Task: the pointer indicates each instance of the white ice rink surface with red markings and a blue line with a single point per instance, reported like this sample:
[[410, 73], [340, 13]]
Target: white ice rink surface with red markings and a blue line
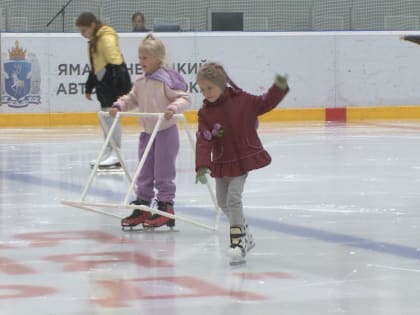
[[335, 217]]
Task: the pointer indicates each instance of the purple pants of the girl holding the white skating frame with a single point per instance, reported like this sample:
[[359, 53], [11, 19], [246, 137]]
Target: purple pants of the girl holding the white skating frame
[[159, 169]]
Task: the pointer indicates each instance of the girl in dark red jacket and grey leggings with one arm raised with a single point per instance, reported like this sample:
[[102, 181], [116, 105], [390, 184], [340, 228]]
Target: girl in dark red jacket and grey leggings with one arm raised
[[228, 145]]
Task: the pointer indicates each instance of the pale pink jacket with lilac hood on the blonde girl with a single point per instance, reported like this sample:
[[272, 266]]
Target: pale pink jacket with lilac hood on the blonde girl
[[156, 93]]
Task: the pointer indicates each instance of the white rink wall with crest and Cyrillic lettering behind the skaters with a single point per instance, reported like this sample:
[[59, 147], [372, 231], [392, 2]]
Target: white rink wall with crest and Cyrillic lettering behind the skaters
[[326, 70]]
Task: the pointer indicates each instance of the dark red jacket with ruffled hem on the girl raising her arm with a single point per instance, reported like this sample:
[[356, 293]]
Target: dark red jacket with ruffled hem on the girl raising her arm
[[239, 150]]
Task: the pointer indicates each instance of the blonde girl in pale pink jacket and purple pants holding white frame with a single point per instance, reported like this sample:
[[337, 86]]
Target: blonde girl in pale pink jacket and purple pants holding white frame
[[159, 90]]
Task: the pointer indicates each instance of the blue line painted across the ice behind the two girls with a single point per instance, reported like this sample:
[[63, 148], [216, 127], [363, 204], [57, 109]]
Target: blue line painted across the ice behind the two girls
[[280, 227]]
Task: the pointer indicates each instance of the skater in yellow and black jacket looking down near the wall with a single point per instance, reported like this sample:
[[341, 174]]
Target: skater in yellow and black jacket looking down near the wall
[[108, 74]]
